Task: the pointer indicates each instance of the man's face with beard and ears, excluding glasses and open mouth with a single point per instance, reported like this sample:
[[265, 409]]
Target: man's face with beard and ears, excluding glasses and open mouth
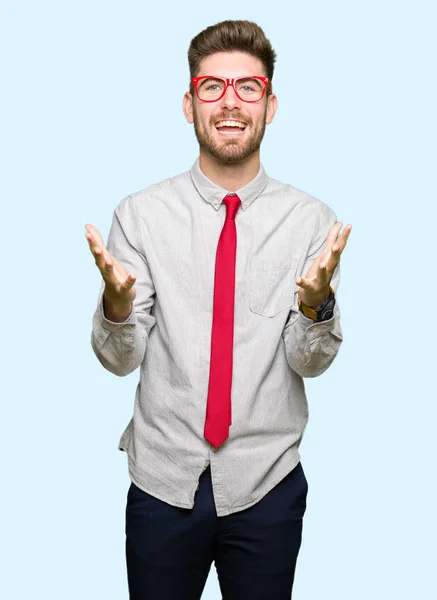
[[232, 146]]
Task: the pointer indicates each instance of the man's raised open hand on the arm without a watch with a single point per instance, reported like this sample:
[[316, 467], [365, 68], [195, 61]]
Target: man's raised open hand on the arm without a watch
[[119, 292]]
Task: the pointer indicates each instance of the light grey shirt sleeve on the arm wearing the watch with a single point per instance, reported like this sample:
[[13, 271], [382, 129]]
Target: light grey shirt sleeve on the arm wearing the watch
[[312, 346]]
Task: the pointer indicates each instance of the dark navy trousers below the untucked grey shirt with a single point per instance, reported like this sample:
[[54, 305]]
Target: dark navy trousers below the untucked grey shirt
[[169, 550]]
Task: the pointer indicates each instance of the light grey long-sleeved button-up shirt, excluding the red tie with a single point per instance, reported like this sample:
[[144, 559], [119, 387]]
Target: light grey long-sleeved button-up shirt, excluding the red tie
[[167, 236]]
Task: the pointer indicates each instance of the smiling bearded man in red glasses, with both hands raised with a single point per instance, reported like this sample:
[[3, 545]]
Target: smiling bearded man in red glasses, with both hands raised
[[216, 473]]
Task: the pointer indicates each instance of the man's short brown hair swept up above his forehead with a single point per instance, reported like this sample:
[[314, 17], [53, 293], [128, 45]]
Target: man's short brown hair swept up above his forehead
[[228, 36]]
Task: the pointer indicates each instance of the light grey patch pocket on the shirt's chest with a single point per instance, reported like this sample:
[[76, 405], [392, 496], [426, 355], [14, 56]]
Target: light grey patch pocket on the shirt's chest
[[272, 286]]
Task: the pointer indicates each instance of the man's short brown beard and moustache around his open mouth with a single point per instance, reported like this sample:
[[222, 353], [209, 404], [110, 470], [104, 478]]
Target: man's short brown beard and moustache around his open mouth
[[229, 151]]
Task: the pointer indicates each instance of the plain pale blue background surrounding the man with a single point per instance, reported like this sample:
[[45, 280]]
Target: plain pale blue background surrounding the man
[[82, 125]]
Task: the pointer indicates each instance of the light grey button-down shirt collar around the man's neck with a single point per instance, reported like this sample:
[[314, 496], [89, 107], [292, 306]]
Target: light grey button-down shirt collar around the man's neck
[[213, 193]]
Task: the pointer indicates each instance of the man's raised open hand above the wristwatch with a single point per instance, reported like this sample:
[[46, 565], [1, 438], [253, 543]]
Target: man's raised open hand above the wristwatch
[[314, 288]]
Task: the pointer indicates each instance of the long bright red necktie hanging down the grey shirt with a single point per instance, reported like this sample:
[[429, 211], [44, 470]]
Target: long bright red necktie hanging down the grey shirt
[[218, 410]]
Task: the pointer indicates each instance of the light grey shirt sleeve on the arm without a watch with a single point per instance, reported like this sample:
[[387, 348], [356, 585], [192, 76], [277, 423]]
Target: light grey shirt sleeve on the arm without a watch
[[120, 347]]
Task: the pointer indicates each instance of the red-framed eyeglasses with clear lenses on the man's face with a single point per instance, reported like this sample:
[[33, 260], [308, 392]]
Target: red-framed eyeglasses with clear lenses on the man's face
[[210, 88]]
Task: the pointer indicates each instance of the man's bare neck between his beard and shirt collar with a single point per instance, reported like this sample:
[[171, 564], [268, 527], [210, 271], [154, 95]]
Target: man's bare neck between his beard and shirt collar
[[231, 177]]
